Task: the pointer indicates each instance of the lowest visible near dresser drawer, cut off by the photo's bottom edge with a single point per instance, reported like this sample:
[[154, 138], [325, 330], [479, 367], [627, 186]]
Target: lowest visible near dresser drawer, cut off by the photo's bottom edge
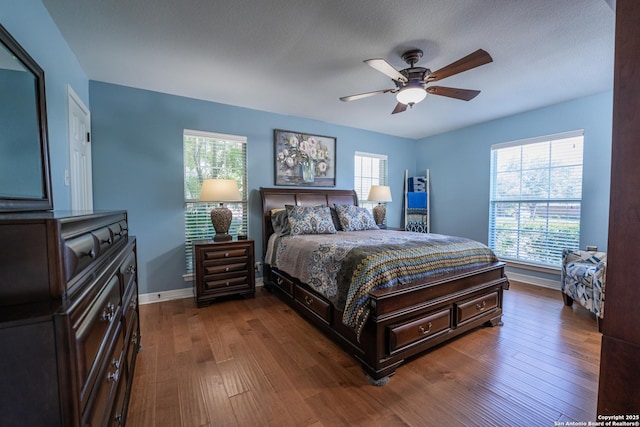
[[112, 372]]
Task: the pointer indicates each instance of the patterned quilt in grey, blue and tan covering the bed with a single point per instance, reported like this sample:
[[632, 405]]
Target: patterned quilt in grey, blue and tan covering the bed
[[346, 266]]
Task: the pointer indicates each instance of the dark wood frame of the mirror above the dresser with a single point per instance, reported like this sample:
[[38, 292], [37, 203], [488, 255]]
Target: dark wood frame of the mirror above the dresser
[[14, 204]]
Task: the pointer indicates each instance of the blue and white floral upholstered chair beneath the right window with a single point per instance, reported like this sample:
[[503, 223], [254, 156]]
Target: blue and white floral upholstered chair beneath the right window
[[583, 280]]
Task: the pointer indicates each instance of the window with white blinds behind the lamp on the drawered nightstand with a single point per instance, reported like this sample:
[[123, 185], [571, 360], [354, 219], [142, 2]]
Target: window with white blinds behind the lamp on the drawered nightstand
[[211, 155]]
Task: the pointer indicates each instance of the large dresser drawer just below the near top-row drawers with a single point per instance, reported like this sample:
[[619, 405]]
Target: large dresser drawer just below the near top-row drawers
[[92, 329]]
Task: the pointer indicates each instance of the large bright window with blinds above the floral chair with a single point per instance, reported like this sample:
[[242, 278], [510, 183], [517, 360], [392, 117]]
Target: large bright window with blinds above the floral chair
[[535, 198]]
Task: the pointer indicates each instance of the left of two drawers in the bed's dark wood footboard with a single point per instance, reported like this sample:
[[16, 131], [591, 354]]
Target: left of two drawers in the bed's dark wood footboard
[[417, 330]]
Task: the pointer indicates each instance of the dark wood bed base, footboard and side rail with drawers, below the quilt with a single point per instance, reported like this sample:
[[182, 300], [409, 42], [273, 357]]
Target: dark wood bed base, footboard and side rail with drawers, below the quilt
[[404, 321]]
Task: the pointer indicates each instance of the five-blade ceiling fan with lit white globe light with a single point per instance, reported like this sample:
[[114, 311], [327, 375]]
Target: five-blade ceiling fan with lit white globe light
[[411, 83]]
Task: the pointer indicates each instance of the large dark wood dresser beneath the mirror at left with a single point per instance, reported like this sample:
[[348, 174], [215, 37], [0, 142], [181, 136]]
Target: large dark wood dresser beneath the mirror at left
[[69, 324]]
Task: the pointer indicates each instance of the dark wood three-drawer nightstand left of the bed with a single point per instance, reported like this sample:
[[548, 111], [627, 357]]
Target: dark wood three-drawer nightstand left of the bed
[[223, 269]]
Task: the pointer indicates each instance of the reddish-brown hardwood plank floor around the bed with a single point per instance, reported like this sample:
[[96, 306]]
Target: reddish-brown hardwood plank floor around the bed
[[256, 362]]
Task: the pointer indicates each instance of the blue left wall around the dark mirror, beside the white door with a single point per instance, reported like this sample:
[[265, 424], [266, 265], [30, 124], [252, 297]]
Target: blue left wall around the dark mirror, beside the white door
[[30, 24]]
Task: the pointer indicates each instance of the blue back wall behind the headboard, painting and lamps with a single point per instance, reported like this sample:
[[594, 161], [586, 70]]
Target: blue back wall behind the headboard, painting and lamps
[[138, 166]]
